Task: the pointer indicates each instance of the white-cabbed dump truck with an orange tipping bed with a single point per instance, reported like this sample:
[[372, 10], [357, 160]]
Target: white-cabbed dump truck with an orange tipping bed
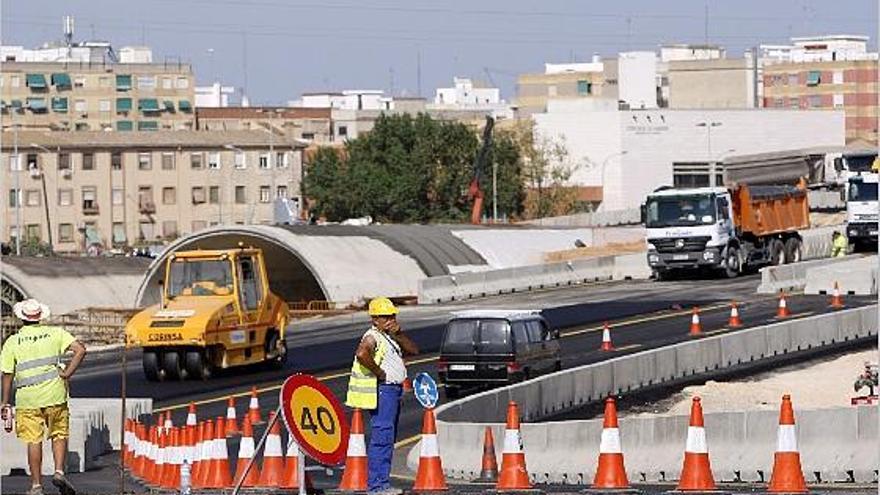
[[724, 229]]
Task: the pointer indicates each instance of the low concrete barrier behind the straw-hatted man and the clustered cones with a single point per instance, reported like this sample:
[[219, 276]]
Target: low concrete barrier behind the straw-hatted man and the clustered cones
[[94, 431]]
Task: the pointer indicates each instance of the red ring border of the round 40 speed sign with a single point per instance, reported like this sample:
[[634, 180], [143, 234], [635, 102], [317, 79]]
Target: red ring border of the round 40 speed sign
[[292, 383]]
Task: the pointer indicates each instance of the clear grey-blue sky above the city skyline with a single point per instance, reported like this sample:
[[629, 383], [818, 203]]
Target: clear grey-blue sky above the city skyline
[[278, 49]]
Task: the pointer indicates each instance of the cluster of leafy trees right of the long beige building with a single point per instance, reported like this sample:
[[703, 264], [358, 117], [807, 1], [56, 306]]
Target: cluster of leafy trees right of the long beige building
[[417, 169]]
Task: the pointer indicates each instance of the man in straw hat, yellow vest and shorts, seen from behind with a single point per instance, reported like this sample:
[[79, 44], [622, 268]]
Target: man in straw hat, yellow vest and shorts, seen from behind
[[30, 361]]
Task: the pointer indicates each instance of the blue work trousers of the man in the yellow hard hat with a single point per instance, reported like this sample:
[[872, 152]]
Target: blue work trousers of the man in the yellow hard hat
[[383, 431]]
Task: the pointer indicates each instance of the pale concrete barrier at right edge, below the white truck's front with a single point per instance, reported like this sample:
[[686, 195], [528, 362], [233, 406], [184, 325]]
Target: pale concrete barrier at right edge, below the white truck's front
[[855, 276]]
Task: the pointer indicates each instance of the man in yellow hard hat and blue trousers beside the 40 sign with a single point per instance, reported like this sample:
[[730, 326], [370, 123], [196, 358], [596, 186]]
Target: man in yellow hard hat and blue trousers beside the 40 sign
[[376, 385]]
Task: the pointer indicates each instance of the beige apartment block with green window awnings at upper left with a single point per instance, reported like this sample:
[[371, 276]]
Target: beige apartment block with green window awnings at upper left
[[83, 96]]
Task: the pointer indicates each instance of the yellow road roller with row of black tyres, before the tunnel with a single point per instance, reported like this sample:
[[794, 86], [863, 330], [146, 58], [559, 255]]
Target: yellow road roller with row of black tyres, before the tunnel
[[216, 312]]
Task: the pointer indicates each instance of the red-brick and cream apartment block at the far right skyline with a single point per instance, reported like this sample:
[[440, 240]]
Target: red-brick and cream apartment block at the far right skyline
[[850, 85]]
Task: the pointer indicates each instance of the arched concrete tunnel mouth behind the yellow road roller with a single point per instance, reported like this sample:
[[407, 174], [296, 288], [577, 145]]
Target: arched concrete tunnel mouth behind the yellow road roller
[[289, 277]]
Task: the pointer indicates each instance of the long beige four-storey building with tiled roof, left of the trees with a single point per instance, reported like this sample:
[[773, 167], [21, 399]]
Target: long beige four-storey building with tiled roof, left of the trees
[[112, 189]]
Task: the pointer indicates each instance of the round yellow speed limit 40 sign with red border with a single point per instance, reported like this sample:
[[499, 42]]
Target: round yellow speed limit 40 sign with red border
[[315, 418]]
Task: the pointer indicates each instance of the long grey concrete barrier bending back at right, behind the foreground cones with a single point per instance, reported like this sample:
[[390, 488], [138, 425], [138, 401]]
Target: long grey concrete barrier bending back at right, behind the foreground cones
[[836, 444]]
